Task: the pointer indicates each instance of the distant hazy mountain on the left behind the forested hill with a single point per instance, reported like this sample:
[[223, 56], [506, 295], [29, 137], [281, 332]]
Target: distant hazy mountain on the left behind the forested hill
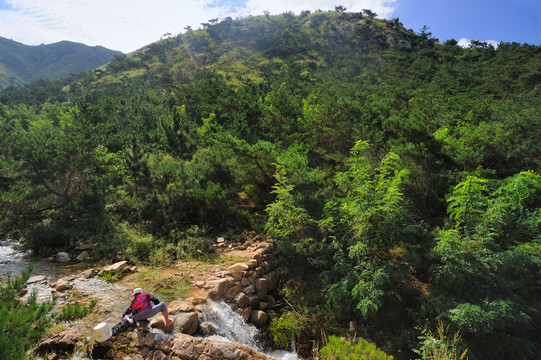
[[21, 64]]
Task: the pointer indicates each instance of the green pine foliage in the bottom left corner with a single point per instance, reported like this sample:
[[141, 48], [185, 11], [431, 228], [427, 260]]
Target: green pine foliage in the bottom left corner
[[22, 323]]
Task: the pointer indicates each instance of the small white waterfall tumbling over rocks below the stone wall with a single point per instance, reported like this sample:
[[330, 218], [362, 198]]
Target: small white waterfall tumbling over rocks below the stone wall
[[230, 326]]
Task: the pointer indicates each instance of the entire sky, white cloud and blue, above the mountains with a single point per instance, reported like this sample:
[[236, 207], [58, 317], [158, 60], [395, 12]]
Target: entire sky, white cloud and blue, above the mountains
[[127, 25]]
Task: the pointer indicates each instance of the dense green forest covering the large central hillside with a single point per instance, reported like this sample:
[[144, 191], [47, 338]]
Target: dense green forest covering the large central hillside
[[399, 175]]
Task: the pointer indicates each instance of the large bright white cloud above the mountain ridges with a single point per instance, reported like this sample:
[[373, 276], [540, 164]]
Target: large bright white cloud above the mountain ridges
[[127, 25]]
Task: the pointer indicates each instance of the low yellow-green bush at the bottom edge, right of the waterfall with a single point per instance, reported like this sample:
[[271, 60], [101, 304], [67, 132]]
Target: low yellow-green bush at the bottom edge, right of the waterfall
[[340, 349]]
